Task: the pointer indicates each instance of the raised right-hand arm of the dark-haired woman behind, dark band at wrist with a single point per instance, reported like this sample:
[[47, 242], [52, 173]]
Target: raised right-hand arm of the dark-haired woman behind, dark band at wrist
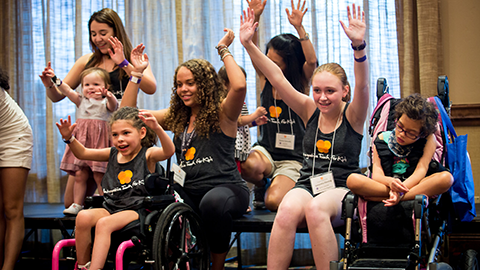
[[296, 19]]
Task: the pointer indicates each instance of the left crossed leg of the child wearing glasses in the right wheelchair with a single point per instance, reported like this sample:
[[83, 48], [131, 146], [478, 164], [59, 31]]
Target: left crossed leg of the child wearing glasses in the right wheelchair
[[367, 187]]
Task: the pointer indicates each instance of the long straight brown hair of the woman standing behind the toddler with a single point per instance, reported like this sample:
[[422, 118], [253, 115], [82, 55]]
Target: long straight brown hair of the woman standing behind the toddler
[[109, 17]]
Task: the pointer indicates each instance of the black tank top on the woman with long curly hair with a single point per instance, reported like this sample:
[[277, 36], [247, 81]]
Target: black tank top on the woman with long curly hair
[[208, 162]]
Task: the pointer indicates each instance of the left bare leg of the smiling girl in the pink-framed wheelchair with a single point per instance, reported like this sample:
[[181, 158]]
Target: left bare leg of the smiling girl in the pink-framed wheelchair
[[84, 223]]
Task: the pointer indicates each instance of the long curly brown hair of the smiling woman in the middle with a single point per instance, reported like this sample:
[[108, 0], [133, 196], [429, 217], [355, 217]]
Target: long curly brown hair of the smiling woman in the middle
[[209, 96]]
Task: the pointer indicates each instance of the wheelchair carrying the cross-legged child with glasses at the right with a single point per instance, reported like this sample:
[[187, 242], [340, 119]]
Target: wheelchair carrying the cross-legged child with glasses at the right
[[409, 235]]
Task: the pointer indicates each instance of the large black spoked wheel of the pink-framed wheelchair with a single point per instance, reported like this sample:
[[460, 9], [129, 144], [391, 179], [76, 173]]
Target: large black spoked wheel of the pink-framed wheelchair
[[179, 242]]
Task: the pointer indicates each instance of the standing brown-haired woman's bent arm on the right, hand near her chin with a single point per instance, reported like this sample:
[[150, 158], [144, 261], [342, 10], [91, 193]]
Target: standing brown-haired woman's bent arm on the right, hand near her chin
[[148, 83]]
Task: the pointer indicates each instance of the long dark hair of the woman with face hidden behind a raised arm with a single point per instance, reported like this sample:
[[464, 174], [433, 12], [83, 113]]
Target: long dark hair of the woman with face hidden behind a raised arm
[[290, 49]]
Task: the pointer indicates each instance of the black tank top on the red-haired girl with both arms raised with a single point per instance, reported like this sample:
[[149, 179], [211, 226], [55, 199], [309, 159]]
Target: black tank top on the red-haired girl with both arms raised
[[347, 146]]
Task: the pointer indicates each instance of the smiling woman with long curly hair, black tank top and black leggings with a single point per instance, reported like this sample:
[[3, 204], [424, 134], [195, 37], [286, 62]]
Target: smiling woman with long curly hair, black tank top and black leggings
[[203, 118]]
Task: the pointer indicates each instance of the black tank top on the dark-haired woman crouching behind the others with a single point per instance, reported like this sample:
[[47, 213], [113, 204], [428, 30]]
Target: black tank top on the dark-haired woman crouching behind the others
[[270, 129]]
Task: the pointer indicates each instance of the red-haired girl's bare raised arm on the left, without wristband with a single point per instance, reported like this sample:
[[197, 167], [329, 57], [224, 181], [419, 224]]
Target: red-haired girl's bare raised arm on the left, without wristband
[[300, 103]]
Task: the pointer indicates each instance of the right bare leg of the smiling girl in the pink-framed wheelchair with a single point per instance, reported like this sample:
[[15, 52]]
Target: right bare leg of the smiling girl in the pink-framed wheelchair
[[103, 232]]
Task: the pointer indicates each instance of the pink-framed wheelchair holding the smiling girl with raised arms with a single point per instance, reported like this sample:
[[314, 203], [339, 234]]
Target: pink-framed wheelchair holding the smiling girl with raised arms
[[168, 234]]
